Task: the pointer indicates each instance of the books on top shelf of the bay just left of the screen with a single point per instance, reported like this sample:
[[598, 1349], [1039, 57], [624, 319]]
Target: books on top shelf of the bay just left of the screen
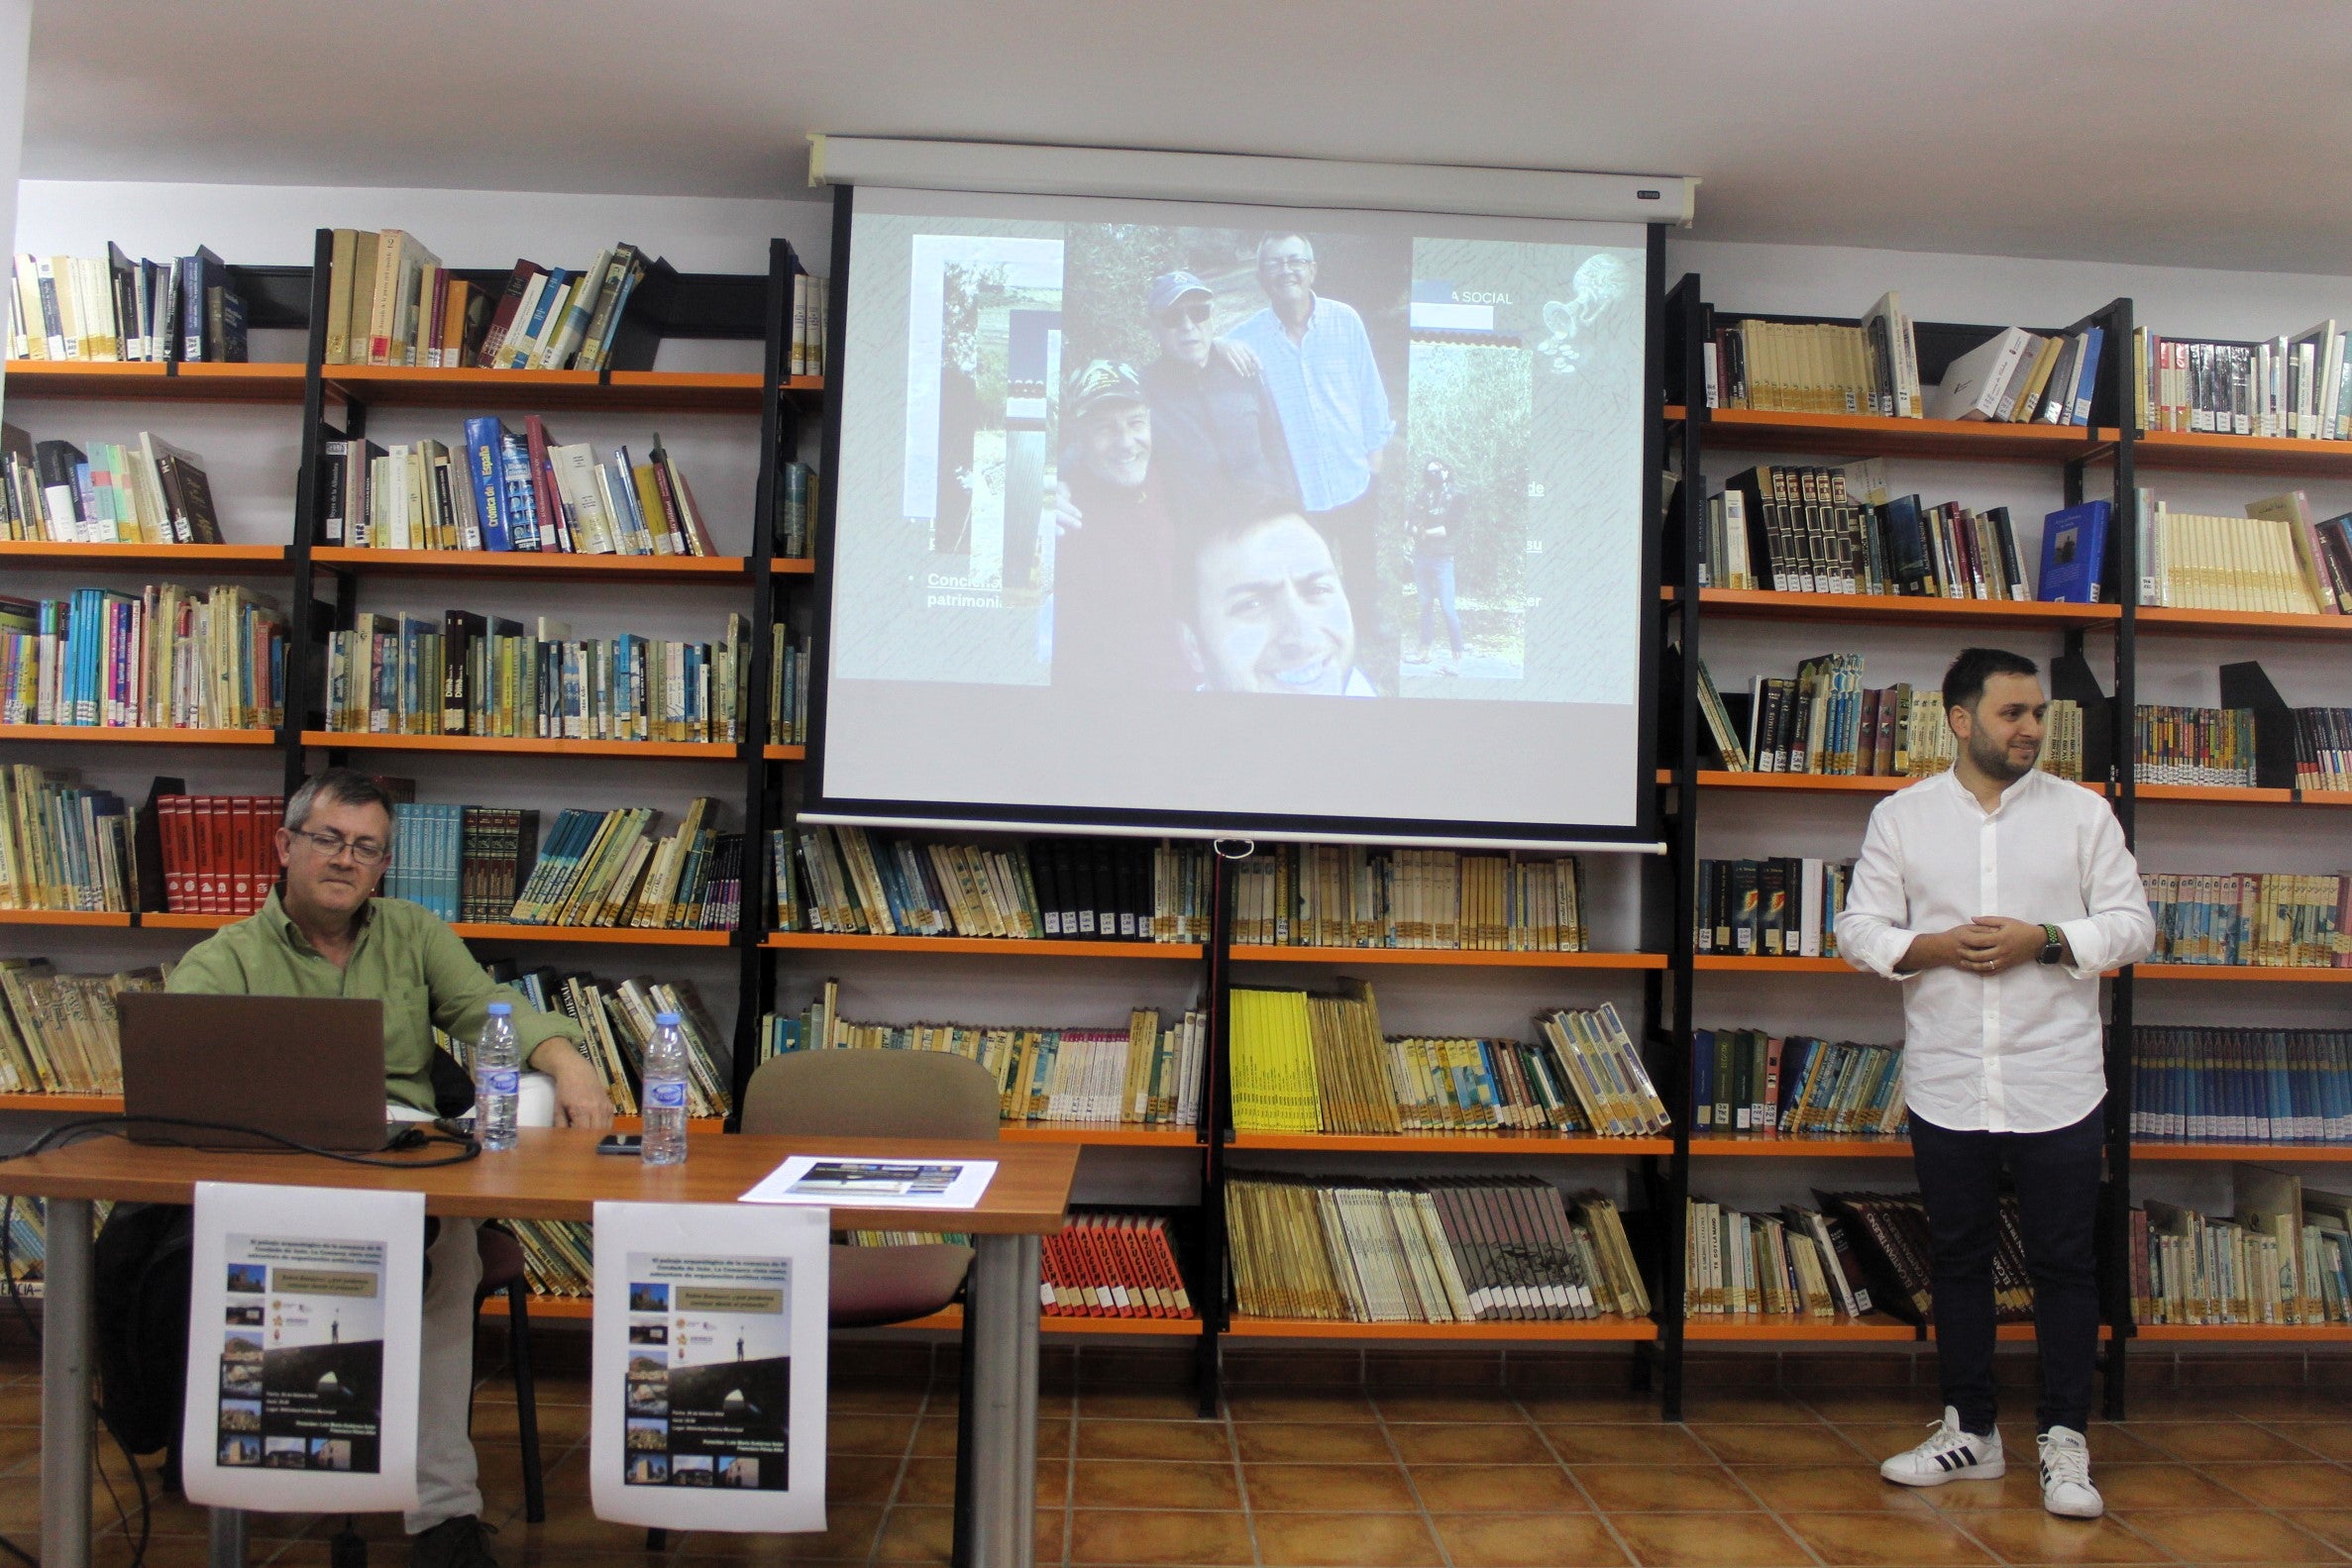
[[392, 302]]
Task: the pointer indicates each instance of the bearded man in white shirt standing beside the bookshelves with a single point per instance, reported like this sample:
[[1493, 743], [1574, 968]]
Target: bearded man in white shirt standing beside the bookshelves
[[1998, 894]]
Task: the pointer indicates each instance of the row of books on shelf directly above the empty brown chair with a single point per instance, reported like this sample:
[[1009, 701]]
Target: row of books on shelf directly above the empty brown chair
[[1142, 1076]]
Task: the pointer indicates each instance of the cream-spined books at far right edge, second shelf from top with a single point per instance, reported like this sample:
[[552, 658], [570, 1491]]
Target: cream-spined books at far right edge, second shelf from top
[[2273, 558]]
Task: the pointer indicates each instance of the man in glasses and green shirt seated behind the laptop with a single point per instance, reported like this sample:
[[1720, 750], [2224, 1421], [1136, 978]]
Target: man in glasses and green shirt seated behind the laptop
[[326, 934]]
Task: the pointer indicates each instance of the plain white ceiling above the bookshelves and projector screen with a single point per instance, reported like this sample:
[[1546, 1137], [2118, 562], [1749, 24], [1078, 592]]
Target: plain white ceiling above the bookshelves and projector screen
[[2191, 133]]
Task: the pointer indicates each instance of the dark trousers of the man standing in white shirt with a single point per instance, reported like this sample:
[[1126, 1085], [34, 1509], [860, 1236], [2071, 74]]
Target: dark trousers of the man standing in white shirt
[[2057, 1179]]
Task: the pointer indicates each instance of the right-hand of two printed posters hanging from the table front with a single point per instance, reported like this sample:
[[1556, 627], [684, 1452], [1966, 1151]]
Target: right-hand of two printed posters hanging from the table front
[[709, 1367]]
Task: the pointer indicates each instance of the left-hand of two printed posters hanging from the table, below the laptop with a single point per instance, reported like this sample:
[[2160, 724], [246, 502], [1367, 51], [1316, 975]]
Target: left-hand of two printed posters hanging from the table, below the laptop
[[302, 1348]]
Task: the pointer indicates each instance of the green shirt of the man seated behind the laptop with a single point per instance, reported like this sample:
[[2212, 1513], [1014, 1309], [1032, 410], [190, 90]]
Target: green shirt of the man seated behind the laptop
[[403, 958]]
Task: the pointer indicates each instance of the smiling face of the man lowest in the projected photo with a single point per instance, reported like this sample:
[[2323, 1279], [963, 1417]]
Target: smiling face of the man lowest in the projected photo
[[1264, 608]]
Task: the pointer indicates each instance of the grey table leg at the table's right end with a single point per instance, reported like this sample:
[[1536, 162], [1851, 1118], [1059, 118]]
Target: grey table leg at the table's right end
[[1003, 1299]]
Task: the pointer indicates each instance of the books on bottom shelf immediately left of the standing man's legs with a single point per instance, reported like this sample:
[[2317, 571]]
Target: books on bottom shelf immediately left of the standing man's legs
[[1791, 1264]]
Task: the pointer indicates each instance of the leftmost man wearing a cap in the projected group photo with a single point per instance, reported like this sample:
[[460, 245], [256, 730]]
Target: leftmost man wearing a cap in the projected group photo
[[1116, 547]]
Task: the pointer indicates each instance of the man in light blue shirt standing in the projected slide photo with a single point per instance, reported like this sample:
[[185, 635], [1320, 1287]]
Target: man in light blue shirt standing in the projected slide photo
[[1318, 366]]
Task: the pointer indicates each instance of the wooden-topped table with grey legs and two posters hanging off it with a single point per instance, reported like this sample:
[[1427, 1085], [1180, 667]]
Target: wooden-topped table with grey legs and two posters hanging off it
[[559, 1177]]
